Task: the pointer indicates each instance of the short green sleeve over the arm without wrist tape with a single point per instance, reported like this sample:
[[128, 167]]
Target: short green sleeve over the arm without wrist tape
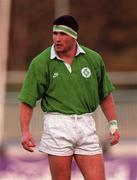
[[33, 85]]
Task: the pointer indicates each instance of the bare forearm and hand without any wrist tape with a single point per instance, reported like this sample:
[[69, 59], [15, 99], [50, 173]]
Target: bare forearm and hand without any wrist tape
[[28, 142]]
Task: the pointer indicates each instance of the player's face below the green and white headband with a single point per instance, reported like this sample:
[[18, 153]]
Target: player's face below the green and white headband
[[63, 42]]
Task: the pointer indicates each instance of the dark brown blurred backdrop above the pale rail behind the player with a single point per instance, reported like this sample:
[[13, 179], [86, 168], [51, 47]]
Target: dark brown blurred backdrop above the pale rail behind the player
[[109, 27]]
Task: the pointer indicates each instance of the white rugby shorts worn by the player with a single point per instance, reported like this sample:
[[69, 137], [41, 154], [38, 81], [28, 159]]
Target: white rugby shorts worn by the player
[[65, 135]]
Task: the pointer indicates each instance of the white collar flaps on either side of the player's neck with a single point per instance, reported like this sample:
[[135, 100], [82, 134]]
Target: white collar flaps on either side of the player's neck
[[53, 53]]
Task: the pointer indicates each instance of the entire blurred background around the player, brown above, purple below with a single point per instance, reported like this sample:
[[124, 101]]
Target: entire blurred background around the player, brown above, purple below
[[108, 27]]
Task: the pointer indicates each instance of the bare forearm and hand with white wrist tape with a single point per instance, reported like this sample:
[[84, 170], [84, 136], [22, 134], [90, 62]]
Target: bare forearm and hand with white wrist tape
[[108, 107]]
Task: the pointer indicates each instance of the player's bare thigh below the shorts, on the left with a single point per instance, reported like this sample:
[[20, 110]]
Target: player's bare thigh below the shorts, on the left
[[60, 167]]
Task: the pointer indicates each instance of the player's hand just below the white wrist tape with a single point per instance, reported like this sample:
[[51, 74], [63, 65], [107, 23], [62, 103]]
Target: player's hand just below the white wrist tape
[[114, 137]]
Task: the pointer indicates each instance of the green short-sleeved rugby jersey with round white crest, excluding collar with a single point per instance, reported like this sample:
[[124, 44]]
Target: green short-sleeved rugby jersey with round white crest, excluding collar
[[78, 92]]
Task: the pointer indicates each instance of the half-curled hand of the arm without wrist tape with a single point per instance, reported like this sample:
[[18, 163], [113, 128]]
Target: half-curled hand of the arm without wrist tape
[[28, 142]]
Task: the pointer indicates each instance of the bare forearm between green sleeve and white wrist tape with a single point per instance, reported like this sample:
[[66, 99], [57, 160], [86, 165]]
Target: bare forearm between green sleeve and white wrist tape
[[108, 108]]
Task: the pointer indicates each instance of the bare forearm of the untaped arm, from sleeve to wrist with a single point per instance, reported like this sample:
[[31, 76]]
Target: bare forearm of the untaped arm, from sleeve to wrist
[[25, 117]]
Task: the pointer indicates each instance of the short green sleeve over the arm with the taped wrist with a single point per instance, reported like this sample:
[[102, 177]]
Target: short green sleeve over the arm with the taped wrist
[[105, 86]]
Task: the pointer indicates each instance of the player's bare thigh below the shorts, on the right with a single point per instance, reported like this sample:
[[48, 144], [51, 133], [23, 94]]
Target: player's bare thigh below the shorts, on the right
[[91, 166]]
